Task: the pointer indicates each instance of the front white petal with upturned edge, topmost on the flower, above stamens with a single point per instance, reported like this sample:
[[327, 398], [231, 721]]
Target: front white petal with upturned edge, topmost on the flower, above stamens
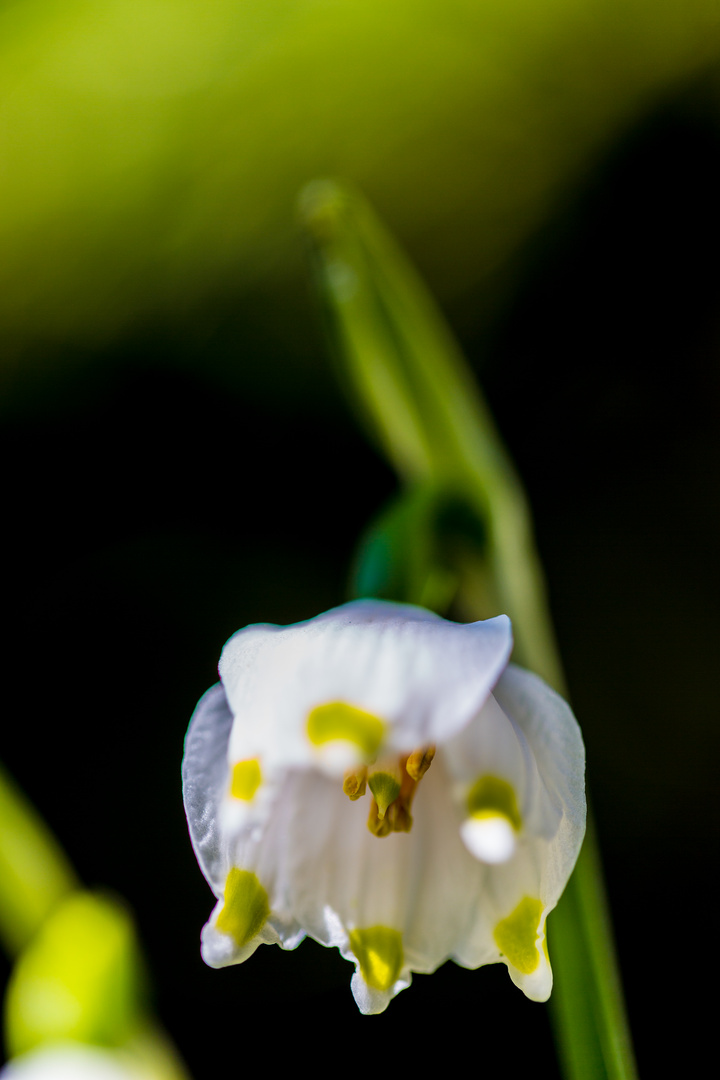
[[420, 676]]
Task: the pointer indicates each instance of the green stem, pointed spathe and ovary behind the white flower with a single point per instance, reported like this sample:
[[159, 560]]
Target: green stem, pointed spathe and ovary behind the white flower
[[412, 388]]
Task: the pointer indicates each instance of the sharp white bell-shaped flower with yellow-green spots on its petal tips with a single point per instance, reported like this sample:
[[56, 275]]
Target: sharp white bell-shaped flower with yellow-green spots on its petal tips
[[382, 780]]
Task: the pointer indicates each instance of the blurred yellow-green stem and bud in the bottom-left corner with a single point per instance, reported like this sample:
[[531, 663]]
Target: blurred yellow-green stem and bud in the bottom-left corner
[[79, 976]]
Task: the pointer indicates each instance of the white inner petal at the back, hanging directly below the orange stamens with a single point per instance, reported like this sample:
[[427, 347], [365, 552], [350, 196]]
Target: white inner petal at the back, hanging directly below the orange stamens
[[343, 879]]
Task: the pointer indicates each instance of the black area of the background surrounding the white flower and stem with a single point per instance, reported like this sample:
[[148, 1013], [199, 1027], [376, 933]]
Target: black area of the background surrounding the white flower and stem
[[154, 506]]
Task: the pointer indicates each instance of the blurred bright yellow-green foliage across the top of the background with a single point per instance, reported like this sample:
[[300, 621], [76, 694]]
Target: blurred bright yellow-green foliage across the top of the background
[[152, 153]]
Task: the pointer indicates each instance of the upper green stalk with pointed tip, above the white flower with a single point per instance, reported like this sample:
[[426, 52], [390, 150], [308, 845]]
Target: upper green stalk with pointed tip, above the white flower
[[412, 389]]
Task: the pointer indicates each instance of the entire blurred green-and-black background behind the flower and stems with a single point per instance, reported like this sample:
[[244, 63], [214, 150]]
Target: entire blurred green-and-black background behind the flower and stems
[[179, 461]]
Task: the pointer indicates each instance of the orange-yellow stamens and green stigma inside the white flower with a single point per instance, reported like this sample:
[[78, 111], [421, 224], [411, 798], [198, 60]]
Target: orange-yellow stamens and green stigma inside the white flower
[[393, 784]]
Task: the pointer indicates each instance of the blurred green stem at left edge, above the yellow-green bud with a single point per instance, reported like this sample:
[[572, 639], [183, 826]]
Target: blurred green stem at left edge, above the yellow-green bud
[[35, 874]]
